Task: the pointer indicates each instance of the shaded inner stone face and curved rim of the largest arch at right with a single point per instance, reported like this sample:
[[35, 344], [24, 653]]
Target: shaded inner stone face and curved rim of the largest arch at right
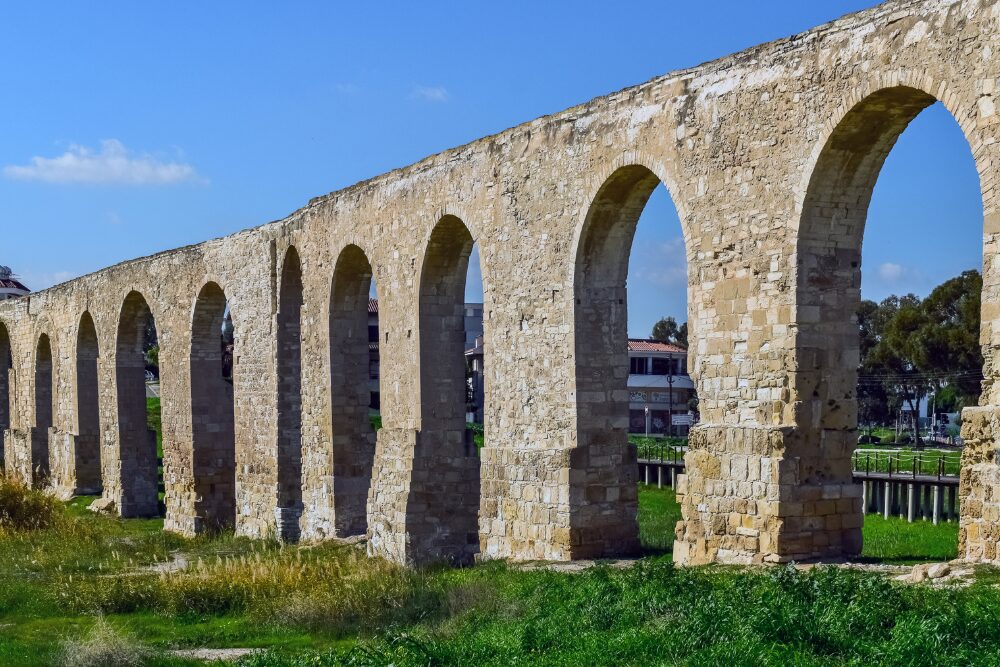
[[823, 382]]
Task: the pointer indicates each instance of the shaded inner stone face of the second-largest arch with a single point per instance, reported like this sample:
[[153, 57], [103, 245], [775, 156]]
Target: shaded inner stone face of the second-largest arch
[[604, 474]]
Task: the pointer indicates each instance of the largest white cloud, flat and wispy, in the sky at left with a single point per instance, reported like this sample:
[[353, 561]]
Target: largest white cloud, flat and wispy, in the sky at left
[[113, 164]]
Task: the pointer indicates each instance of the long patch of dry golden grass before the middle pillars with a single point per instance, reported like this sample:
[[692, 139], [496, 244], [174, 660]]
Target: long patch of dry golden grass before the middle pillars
[[329, 587]]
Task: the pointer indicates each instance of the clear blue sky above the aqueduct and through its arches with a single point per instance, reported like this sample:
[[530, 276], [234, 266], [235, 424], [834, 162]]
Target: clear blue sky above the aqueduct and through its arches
[[131, 128]]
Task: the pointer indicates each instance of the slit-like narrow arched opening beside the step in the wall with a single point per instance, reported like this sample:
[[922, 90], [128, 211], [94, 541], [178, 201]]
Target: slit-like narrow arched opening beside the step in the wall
[[289, 322]]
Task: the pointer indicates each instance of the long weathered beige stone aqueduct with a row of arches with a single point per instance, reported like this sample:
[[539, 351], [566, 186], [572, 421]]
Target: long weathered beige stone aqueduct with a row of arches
[[770, 156]]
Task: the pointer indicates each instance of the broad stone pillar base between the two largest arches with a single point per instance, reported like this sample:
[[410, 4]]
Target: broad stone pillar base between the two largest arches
[[754, 494]]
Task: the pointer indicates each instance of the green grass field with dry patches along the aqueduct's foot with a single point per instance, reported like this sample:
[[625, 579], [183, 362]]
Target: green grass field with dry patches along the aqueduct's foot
[[331, 605]]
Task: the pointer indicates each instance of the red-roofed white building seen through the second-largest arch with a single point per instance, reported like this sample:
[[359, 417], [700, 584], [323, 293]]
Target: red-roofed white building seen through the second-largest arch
[[660, 390]]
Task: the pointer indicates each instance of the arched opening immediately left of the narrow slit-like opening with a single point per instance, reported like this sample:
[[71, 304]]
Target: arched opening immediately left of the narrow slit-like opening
[[213, 434]]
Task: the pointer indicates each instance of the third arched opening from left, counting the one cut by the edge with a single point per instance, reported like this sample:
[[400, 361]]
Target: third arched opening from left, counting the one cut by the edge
[[88, 427]]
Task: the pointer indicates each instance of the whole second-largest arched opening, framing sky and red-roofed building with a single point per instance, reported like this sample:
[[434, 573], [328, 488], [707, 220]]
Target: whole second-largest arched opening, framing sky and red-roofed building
[[617, 378]]
